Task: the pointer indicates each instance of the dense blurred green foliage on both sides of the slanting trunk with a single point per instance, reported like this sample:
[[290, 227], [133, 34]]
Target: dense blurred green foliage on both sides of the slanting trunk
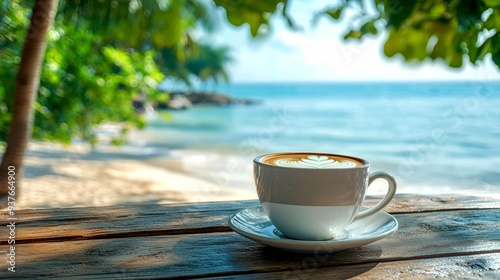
[[99, 58]]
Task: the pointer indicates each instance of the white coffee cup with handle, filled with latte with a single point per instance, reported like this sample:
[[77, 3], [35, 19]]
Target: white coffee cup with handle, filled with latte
[[315, 196]]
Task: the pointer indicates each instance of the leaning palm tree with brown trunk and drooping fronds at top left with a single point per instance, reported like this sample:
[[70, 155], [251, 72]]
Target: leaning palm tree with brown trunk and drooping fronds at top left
[[166, 24]]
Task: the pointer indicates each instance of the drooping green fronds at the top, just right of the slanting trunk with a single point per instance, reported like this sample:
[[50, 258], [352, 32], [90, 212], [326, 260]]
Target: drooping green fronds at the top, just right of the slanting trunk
[[138, 24]]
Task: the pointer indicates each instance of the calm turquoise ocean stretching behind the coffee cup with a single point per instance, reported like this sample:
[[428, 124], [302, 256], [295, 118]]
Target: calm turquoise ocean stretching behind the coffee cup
[[432, 136]]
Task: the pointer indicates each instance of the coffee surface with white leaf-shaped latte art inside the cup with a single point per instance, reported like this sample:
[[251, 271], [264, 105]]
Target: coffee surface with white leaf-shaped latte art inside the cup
[[311, 161]]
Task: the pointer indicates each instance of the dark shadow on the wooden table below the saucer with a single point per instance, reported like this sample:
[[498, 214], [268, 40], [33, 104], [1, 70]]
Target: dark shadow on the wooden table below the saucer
[[222, 256]]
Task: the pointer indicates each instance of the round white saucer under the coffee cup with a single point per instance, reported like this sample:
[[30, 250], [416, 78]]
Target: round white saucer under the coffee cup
[[253, 223]]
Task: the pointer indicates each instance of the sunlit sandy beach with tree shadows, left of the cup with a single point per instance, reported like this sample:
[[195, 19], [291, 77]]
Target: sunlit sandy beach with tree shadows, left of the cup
[[77, 175]]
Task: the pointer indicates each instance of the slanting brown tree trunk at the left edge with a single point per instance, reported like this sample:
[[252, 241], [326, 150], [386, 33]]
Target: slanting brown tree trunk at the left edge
[[27, 82]]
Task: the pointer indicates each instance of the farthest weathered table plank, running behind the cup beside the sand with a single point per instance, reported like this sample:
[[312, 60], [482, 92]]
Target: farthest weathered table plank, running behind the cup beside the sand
[[106, 222]]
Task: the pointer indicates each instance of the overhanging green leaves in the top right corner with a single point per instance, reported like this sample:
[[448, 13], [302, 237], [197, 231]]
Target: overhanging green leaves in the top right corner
[[450, 30]]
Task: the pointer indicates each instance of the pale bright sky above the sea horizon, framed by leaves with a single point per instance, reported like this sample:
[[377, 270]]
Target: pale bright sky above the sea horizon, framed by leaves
[[319, 53]]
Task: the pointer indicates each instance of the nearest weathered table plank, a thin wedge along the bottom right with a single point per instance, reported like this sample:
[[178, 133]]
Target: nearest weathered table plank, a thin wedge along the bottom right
[[484, 266]]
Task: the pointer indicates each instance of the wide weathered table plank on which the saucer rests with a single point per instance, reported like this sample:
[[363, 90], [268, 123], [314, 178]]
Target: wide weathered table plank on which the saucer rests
[[421, 235]]
